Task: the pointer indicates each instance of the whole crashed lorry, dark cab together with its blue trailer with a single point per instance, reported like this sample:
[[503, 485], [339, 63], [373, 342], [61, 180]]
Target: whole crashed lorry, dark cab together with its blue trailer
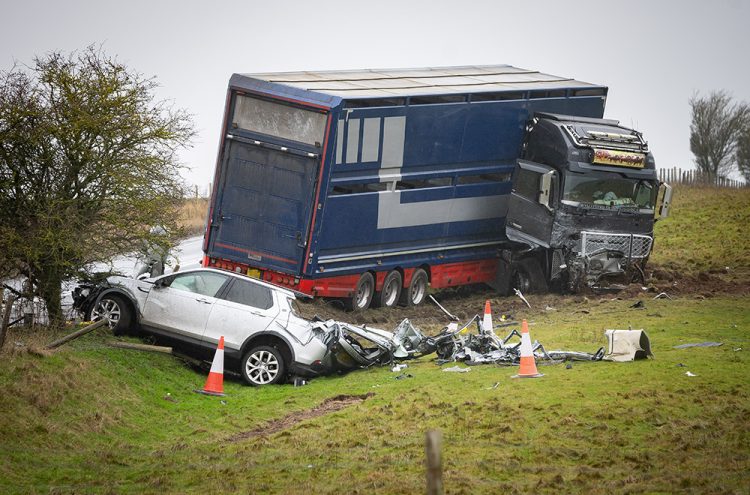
[[371, 186]]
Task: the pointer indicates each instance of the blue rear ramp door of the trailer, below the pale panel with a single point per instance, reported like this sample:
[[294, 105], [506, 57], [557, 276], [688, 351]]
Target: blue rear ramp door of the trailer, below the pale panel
[[263, 210]]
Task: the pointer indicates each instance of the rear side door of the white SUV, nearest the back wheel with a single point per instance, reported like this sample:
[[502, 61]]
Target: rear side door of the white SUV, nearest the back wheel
[[245, 308]]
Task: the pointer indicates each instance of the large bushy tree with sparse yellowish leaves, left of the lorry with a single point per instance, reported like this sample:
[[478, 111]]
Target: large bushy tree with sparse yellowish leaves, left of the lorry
[[87, 164]]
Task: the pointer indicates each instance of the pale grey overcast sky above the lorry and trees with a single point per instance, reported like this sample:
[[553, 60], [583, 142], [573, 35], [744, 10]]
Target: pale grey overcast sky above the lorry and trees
[[652, 55]]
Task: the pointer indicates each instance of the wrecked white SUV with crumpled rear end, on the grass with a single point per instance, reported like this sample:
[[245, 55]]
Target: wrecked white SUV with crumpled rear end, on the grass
[[265, 339]]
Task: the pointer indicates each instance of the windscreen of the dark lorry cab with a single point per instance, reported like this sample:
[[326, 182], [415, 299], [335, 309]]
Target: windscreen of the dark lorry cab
[[609, 191]]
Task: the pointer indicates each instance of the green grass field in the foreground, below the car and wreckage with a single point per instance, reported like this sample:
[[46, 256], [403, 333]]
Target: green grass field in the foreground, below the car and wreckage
[[93, 419]]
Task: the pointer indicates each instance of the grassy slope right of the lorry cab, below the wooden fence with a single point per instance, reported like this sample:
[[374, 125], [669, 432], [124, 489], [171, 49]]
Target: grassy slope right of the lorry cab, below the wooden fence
[[708, 230]]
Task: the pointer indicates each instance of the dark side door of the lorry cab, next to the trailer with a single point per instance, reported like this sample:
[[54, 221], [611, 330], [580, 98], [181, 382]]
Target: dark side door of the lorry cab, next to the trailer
[[530, 212]]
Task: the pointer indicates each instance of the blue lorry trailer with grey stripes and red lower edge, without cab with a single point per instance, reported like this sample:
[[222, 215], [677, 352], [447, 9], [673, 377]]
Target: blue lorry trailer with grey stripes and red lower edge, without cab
[[370, 185]]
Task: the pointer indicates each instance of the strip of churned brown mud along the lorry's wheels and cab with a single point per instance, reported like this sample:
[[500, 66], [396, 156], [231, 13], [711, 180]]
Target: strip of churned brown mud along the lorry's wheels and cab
[[465, 302]]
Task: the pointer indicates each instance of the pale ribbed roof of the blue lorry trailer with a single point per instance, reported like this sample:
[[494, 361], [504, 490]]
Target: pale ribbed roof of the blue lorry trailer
[[371, 83]]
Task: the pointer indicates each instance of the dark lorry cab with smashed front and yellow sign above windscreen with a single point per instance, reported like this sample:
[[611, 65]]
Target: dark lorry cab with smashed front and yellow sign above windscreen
[[583, 205]]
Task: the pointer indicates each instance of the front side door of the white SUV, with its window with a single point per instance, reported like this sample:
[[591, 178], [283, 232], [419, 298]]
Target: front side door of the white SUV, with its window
[[180, 304]]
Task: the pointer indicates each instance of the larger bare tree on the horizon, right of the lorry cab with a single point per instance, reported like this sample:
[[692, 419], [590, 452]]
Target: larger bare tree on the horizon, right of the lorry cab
[[714, 132]]
